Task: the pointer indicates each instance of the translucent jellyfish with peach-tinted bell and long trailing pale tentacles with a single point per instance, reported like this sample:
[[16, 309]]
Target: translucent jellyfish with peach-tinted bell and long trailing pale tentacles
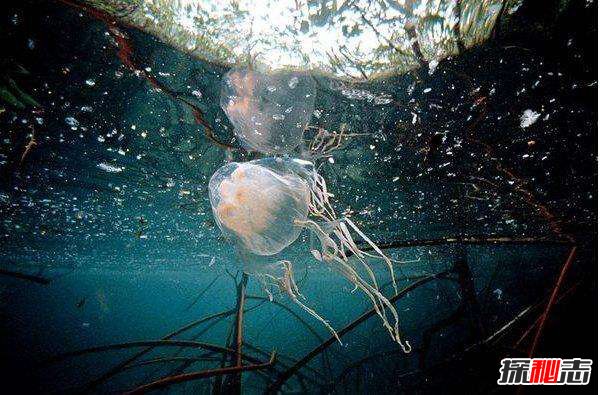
[[263, 205]]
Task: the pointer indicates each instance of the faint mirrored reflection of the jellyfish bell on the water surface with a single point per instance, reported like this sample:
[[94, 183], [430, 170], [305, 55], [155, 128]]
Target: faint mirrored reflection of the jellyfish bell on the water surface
[[269, 112]]
